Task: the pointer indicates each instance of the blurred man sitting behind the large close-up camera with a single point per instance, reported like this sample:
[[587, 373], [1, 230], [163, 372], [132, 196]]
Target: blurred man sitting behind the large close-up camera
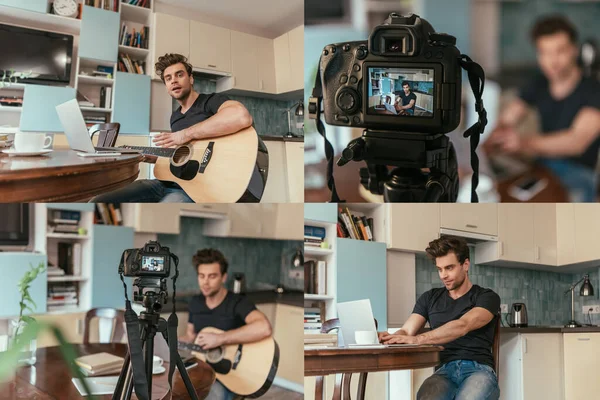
[[569, 108]]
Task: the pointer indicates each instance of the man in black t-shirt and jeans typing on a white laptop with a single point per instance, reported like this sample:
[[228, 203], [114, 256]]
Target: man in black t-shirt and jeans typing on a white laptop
[[462, 317]]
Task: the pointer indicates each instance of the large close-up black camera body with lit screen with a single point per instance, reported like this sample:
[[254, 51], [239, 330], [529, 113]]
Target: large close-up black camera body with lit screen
[[372, 84]]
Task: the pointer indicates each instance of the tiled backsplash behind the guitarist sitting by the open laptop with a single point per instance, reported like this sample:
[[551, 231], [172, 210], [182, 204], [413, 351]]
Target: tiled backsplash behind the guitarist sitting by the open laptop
[[269, 115]]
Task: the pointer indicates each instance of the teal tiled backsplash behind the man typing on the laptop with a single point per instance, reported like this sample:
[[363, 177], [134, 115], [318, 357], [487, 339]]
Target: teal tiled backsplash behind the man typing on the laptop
[[542, 292]]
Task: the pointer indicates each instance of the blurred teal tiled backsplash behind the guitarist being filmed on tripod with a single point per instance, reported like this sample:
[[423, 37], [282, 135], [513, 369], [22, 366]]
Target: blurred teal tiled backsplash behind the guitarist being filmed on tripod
[[265, 263]]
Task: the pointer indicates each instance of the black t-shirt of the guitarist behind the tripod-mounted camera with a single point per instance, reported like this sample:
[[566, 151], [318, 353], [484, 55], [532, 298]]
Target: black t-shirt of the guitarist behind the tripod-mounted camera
[[230, 314]]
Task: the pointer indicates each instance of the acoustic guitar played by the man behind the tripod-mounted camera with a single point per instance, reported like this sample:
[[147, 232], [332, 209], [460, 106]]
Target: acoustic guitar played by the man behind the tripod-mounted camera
[[247, 369]]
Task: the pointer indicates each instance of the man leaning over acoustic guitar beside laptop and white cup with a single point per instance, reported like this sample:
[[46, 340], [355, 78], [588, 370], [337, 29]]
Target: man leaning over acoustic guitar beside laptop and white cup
[[204, 120]]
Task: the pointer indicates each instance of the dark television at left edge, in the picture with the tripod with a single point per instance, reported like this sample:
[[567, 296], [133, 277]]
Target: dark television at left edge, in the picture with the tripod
[[16, 226]]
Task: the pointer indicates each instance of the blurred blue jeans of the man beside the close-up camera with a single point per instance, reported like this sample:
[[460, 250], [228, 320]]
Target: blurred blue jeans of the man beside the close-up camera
[[579, 180]]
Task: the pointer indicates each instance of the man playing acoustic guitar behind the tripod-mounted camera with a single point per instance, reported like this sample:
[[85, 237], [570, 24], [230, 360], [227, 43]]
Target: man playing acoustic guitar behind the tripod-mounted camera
[[242, 332]]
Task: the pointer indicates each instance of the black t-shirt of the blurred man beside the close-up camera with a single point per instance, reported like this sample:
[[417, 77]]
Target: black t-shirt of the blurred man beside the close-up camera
[[558, 115]]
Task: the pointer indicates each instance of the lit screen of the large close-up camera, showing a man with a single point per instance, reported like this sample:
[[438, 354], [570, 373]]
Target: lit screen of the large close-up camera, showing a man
[[401, 92]]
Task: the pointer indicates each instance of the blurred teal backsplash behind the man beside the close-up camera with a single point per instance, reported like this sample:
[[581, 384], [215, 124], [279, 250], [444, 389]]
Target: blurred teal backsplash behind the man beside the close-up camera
[[517, 19]]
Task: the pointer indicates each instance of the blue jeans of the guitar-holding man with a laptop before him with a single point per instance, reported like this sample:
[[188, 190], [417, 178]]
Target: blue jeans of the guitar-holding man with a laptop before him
[[145, 191]]
